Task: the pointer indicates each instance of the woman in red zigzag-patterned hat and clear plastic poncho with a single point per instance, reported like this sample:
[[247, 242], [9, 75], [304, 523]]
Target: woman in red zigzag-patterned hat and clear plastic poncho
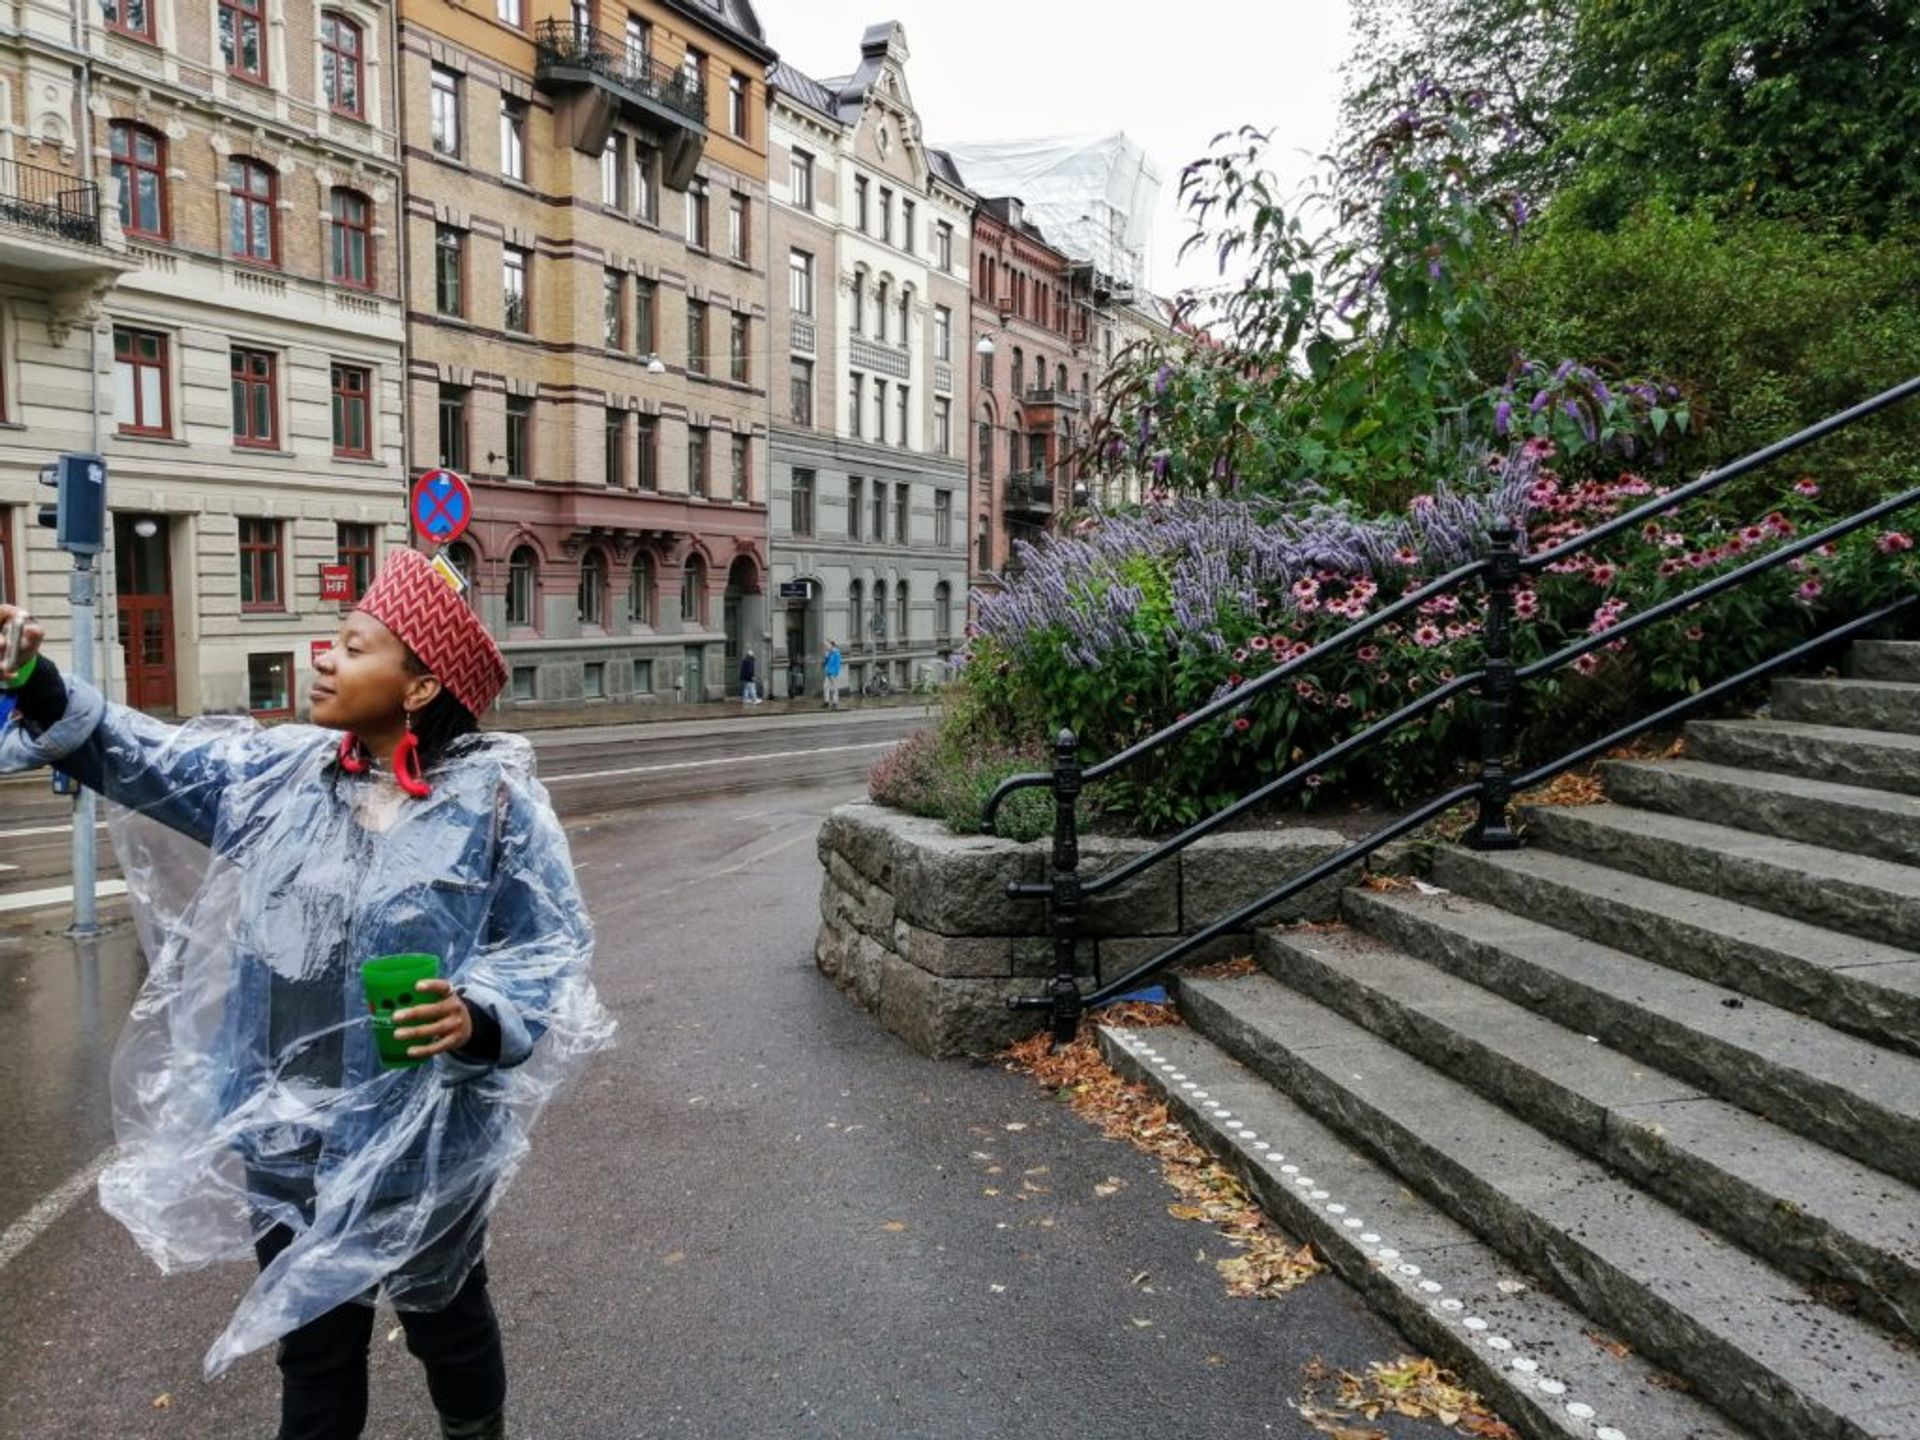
[[251, 1103]]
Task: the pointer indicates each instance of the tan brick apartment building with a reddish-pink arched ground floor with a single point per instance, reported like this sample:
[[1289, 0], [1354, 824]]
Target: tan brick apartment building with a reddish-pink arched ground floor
[[588, 270]]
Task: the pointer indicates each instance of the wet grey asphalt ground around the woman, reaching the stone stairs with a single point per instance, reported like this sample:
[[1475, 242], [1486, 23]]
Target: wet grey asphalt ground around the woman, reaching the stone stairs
[[759, 1216]]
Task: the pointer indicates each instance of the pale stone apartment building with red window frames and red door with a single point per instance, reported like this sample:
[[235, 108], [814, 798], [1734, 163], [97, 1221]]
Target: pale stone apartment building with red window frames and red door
[[220, 318]]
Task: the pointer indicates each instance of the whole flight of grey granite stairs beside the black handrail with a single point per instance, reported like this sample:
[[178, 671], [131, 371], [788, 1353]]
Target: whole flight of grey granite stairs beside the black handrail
[[1623, 1126]]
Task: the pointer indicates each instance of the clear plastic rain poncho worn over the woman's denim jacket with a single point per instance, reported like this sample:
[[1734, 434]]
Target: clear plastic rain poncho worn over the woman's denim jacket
[[247, 1086]]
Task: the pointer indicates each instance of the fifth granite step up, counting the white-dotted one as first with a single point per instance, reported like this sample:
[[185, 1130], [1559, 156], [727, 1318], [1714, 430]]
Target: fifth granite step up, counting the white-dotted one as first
[[1858, 986]]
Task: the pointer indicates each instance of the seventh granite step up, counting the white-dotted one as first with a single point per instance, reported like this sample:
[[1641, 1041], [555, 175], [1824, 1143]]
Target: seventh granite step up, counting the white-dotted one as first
[[1819, 811]]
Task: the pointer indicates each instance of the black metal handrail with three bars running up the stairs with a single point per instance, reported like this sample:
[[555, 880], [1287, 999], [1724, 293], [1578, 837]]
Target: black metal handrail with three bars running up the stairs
[[1495, 788]]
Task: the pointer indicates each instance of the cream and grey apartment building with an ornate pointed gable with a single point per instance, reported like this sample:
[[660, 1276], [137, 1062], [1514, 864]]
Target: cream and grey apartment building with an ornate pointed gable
[[869, 469]]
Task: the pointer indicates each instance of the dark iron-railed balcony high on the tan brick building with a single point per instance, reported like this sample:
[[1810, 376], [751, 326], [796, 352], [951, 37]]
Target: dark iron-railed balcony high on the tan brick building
[[577, 62]]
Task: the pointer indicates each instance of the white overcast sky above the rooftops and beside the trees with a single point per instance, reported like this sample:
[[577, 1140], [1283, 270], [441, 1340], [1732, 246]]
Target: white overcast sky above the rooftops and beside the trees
[[1011, 70]]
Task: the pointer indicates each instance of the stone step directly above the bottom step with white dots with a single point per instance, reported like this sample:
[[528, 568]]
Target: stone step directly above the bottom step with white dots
[[1744, 1335]]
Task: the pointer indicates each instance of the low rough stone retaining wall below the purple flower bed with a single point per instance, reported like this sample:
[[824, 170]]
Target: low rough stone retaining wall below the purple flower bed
[[917, 924]]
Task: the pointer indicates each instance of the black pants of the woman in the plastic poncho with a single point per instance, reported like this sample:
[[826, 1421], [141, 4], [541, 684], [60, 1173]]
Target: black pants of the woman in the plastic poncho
[[324, 1364]]
